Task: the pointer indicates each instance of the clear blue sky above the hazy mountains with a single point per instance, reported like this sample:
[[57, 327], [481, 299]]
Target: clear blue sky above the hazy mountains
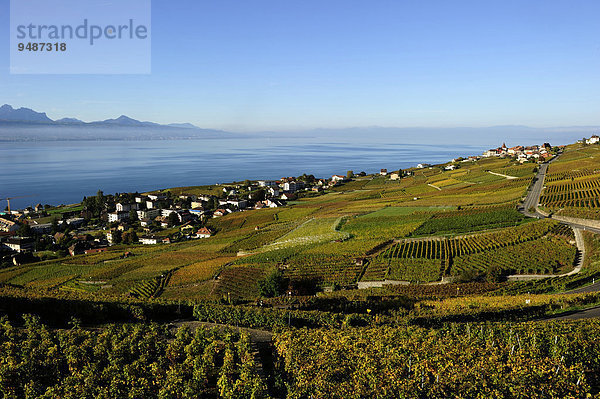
[[292, 65]]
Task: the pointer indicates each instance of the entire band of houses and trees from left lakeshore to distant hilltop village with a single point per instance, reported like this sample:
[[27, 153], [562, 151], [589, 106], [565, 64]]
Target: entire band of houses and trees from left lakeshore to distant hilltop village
[[98, 222]]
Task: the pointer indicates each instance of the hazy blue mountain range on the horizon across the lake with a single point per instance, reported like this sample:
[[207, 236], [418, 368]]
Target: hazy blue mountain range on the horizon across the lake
[[24, 124]]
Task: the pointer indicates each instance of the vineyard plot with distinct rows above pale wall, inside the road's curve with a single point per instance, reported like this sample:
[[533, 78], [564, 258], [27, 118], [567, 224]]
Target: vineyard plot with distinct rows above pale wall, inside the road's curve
[[540, 247]]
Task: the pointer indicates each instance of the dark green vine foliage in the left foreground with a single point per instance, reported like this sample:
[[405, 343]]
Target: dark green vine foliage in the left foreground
[[120, 361]]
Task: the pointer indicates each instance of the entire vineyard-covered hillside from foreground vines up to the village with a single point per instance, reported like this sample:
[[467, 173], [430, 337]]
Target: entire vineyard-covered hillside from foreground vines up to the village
[[437, 285]]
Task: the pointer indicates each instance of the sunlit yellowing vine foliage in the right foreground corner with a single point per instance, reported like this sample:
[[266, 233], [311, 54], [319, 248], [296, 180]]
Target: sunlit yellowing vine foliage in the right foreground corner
[[520, 360]]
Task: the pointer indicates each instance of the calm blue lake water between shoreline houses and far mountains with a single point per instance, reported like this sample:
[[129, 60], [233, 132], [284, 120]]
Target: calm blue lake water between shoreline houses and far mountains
[[62, 172]]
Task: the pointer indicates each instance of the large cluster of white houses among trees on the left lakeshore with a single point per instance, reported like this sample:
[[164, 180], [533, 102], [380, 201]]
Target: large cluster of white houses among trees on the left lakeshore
[[124, 215]]
